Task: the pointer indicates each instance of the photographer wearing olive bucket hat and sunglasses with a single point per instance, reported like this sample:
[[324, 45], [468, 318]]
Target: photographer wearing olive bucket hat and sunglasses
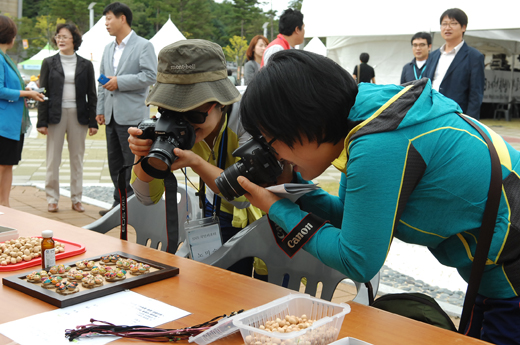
[[192, 80]]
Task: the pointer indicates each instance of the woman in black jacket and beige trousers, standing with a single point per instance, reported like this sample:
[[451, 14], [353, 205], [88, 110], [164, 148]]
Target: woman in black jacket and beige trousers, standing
[[71, 87]]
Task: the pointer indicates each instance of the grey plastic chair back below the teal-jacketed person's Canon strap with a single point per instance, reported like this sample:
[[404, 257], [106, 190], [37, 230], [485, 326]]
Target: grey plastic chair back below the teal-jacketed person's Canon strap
[[257, 240]]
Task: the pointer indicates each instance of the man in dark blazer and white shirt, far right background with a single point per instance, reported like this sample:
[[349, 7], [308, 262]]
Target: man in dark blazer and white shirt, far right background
[[456, 69]]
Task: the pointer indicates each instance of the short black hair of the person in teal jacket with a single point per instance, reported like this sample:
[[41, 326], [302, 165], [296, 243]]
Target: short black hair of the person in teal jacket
[[299, 95]]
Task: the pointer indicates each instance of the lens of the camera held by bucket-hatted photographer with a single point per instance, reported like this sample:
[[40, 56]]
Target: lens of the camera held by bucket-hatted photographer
[[157, 163]]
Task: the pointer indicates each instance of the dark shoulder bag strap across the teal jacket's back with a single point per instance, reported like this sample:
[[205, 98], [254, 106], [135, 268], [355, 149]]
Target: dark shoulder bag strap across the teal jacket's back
[[486, 229]]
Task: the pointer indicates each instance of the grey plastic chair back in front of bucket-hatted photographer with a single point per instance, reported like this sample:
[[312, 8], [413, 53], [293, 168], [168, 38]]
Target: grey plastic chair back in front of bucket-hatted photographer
[[149, 222]]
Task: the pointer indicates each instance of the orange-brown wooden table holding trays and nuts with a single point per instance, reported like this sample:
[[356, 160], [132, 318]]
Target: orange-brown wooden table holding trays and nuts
[[204, 291]]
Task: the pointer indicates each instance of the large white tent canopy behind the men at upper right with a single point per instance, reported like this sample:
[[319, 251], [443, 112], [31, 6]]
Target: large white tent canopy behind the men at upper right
[[386, 32]]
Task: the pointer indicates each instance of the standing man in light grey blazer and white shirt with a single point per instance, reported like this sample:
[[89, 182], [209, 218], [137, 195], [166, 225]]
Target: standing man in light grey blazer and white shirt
[[130, 64]]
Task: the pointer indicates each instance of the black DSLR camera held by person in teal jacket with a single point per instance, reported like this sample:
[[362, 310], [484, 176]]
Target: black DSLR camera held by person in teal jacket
[[257, 163]]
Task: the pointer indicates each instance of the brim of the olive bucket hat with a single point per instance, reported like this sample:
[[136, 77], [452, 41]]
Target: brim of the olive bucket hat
[[184, 97]]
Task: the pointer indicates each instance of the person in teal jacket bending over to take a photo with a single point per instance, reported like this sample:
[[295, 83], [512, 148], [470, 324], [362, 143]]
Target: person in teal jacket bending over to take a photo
[[412, 169]]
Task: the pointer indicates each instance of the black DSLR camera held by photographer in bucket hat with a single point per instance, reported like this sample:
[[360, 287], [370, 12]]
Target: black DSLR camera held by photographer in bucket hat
[[168, 132]]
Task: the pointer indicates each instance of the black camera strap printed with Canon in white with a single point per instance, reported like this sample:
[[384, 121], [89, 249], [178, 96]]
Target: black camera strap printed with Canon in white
[[292, 242]]
